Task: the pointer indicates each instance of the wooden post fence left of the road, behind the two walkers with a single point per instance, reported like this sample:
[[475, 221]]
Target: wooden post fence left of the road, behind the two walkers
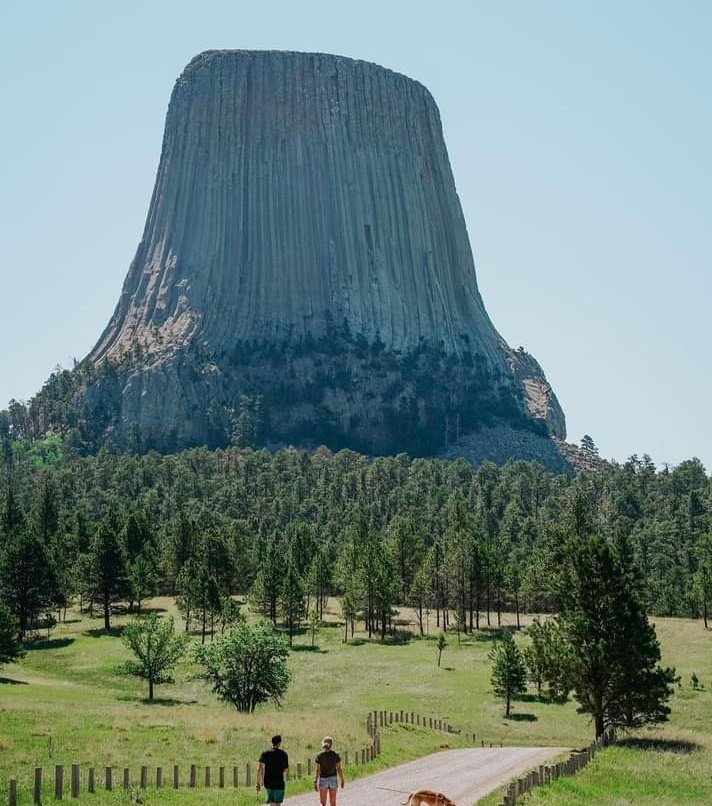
[[91, 778]]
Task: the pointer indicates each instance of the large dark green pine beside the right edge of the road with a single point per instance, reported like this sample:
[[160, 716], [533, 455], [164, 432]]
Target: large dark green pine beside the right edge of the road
[[616, 674]]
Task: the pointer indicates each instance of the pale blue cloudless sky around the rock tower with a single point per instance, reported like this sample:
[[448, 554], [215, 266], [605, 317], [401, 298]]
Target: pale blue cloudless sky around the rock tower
[[579, 134]]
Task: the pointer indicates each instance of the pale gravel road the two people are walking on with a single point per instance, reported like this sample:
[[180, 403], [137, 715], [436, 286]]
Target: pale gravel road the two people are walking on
[[462, 775]]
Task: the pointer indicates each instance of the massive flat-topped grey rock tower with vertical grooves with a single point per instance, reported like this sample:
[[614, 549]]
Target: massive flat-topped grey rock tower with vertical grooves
[[305, 275]]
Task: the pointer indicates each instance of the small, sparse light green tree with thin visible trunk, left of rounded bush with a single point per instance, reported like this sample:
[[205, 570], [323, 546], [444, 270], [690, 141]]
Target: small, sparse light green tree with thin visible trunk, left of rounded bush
[[155, 643]]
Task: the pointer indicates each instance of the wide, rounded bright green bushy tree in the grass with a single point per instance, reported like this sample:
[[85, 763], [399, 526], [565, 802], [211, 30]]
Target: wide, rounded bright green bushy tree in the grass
[[246, 667]]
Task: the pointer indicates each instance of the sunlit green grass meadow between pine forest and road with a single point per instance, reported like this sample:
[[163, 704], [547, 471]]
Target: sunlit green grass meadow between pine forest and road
[[64, 703]]
